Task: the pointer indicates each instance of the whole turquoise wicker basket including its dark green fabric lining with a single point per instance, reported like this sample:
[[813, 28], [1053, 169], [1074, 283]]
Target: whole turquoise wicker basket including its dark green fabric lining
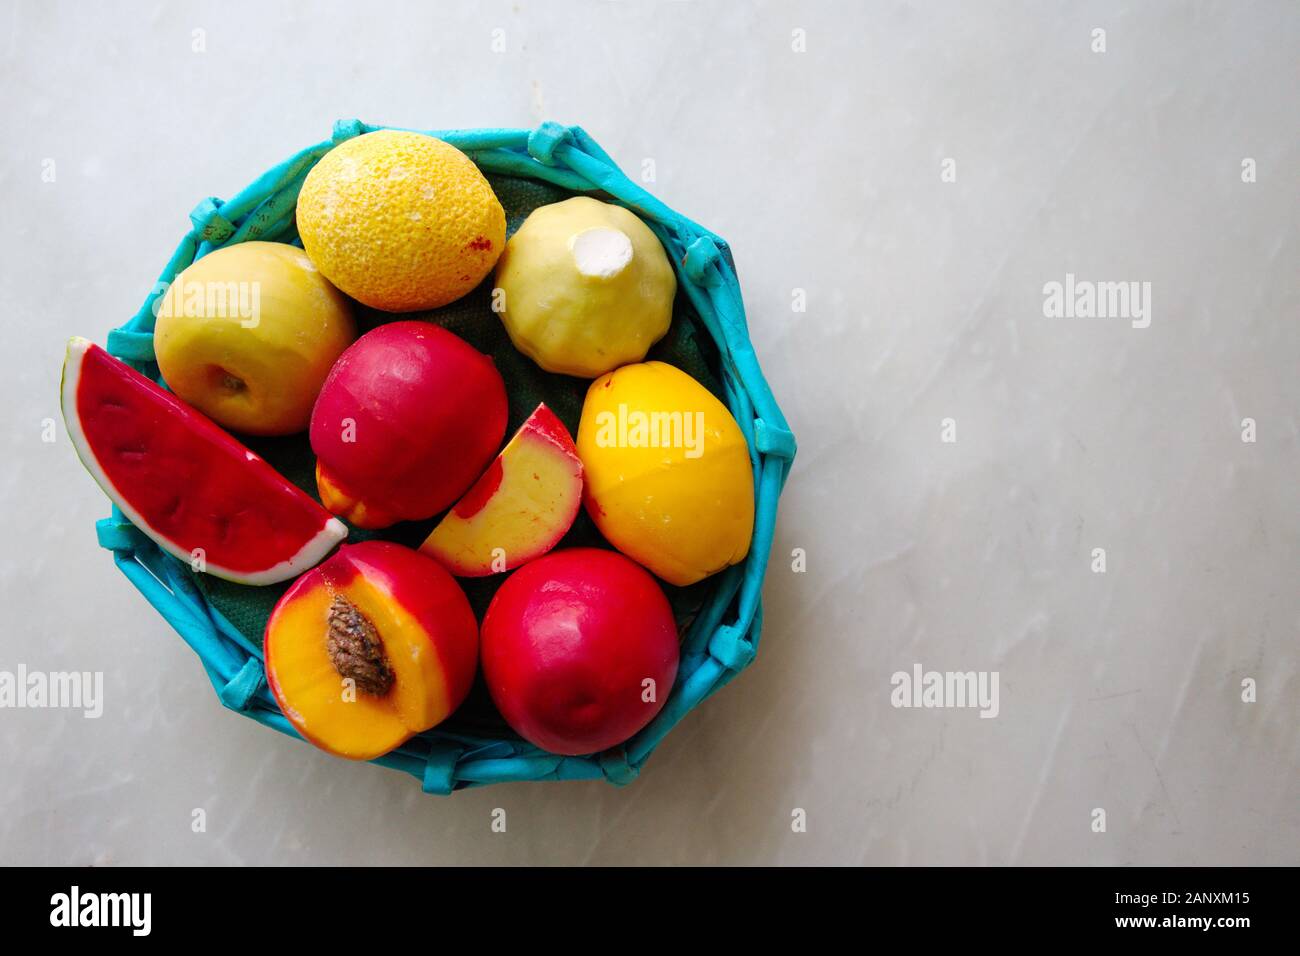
[[720, 618]]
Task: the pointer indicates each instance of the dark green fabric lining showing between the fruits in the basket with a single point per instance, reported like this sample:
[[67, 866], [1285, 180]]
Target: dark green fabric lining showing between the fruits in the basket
[[687, 347]]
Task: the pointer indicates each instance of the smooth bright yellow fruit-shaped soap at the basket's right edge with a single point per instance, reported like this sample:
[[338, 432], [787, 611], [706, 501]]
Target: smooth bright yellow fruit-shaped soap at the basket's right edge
[[669, 475]]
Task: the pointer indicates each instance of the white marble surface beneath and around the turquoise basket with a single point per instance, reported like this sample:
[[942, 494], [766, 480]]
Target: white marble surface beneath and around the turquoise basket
[[925, 301]]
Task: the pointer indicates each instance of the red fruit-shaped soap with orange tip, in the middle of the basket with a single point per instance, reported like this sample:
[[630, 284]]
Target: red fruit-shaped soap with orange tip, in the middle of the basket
[[408, 419]]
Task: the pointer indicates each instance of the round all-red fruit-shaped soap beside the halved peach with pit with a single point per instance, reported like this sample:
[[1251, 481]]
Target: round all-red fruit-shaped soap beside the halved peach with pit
[[579, 651]]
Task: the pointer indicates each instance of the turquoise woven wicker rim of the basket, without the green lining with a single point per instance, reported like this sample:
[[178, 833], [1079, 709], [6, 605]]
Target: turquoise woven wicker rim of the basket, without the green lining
[[723, 633]]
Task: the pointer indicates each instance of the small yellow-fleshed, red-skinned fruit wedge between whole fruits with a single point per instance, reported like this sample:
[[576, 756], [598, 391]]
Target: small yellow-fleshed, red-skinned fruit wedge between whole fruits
[[519, 509]]
